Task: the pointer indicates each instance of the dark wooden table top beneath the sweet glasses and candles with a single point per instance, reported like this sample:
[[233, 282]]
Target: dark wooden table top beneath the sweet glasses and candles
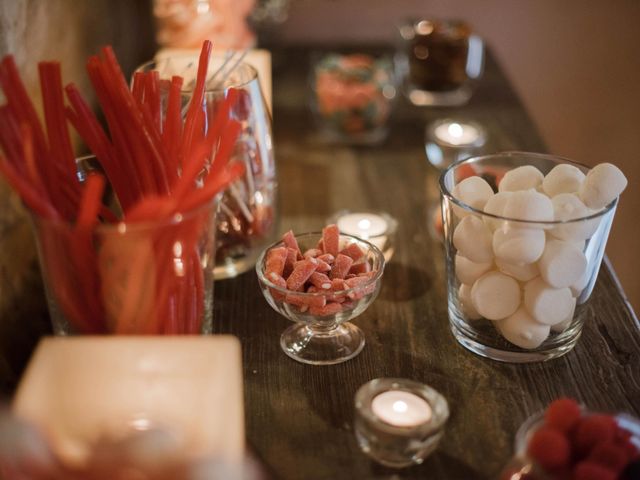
[[299, 417]]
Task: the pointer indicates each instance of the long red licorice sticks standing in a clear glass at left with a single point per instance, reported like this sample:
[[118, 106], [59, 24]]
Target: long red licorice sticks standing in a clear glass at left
[[134, 264]]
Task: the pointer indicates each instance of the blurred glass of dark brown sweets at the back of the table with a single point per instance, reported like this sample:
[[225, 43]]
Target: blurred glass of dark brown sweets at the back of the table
[[439, 60]]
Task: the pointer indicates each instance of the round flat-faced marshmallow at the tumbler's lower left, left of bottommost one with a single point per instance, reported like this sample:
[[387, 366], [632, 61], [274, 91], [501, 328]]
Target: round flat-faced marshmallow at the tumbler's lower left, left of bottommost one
[[495, 295]]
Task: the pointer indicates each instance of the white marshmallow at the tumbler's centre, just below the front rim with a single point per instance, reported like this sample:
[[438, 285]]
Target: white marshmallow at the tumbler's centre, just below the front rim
[[518, 245]]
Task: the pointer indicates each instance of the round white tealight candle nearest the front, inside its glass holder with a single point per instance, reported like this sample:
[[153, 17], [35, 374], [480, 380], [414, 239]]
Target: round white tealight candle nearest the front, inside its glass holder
[[401, 409]]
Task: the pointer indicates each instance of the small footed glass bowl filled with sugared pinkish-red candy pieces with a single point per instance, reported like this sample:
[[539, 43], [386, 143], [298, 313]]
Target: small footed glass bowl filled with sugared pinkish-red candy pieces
[[321, 287]]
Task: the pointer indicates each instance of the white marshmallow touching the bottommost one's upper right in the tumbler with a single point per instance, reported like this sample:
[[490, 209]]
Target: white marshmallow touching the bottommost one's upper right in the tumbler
[[546, 304]]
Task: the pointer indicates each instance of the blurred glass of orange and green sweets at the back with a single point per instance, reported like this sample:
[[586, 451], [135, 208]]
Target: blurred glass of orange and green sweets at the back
[[352, 97]]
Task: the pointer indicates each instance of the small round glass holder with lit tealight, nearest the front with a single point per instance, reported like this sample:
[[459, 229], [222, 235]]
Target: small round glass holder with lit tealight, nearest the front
[[399, 422]]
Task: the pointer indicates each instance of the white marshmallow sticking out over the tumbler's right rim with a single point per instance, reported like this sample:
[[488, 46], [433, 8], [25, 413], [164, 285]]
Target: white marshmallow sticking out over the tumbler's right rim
[[603, 184]]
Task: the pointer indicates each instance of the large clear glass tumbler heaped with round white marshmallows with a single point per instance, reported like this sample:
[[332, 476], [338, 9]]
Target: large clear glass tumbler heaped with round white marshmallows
[[524, 235]]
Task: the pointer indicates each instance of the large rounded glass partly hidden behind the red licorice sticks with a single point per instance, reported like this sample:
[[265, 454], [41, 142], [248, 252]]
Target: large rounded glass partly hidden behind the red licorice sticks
[[247, 218]]
